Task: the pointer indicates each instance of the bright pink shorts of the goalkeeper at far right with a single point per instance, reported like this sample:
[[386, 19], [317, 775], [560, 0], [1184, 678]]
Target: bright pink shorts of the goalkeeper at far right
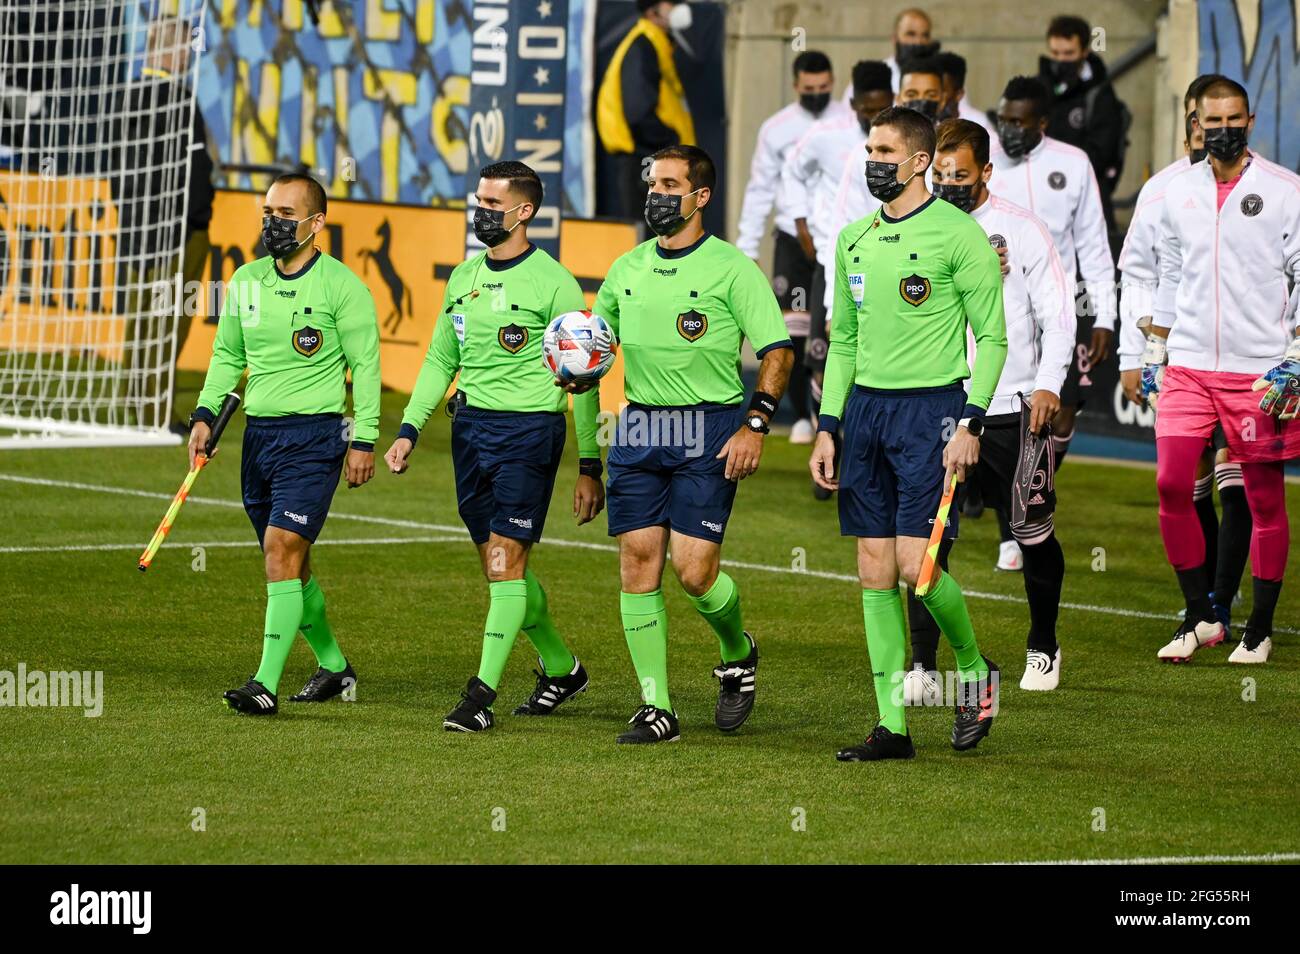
[[1193, 402]]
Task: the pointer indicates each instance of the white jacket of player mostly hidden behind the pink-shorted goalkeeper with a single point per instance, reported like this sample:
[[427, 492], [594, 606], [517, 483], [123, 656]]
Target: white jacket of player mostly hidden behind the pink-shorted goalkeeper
[[1139, 263]]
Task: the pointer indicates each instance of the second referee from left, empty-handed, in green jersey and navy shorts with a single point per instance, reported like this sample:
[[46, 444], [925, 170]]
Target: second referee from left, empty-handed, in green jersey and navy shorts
[[508, 436]]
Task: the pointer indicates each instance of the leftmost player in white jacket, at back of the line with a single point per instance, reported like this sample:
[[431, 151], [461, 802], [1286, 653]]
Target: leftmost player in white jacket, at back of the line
[[792, 259]]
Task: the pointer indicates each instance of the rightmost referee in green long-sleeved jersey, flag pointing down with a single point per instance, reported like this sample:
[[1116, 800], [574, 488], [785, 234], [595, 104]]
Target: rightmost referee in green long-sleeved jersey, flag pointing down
[[911, 280]]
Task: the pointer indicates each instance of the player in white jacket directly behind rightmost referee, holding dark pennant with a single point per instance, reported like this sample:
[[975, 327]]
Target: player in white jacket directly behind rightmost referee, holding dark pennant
[[1041, 335]]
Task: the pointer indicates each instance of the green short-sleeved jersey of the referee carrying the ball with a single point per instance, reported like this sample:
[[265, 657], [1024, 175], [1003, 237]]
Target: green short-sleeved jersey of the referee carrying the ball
[[681, 316]]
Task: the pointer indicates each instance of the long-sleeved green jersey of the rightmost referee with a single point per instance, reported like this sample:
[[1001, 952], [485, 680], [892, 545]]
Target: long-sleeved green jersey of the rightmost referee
[[905, 292]]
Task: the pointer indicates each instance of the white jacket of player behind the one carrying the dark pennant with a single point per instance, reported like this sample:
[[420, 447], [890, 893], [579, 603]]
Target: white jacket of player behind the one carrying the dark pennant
[[1056, 183]]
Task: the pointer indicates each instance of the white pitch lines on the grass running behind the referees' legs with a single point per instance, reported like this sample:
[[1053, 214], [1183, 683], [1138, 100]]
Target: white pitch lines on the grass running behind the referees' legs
[[460, 534]]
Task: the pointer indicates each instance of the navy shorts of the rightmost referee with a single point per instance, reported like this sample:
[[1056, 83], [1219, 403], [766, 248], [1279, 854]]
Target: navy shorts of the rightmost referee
[[892, 472]]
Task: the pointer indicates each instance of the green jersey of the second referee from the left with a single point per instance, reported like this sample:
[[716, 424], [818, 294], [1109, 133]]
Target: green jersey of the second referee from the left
[[495, 315]]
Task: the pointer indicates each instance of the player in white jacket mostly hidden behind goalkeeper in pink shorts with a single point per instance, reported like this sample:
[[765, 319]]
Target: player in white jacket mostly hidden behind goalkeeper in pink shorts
[[1227, 540]]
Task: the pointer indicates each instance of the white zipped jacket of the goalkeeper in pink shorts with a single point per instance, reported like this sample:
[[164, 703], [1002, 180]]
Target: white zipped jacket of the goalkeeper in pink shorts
[[1227, 275]]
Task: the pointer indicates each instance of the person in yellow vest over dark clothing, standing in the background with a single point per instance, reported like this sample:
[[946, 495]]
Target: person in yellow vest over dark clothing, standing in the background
[[642, 106]]
